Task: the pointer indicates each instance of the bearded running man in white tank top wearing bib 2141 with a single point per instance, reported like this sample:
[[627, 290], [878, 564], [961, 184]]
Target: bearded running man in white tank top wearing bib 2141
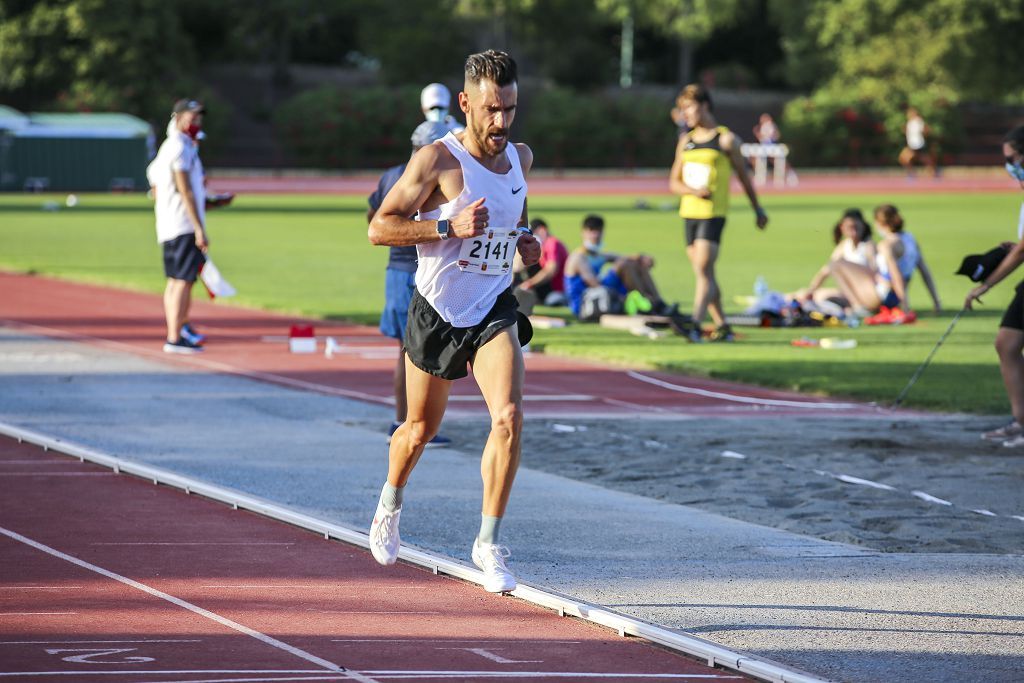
[[468, 193]]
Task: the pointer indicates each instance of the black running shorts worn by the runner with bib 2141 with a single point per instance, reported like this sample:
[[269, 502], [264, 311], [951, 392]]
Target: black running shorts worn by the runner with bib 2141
[[444, 351]]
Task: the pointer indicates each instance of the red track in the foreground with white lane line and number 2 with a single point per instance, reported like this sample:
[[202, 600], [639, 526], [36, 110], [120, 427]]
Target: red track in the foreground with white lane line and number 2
[[110, 578]]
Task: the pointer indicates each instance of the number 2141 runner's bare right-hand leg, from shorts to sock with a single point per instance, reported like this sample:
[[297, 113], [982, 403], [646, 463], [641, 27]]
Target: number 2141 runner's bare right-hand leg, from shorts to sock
[[500, 370]]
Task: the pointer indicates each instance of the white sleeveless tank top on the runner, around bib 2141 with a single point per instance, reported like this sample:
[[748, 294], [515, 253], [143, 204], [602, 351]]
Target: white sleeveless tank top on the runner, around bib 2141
[[463, 300]]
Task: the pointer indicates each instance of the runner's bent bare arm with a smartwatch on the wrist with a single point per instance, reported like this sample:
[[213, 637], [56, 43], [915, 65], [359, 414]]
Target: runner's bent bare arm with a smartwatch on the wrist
[[393, 227]]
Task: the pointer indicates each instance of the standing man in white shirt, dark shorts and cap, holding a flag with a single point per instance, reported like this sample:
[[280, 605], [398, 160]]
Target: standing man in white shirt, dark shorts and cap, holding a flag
[[178, 182]]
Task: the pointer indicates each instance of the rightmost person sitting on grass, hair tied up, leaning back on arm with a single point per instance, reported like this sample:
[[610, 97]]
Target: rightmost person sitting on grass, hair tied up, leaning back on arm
[[884, 289]]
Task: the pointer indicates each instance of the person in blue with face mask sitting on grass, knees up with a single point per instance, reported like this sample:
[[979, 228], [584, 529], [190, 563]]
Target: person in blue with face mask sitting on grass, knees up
[[589, 268]]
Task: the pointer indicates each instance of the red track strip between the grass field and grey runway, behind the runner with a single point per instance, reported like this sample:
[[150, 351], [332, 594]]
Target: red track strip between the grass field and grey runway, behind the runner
[[253, 344]]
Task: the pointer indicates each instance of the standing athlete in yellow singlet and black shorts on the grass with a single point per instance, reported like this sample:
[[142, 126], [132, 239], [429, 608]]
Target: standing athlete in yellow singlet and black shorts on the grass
[[706, 158]]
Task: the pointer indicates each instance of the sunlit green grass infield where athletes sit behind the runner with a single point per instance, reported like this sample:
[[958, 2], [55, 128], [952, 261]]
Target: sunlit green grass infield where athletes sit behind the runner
[[310, 255]]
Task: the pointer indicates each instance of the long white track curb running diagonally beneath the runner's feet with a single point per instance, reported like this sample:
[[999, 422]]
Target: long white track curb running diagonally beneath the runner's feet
[[564, 605]]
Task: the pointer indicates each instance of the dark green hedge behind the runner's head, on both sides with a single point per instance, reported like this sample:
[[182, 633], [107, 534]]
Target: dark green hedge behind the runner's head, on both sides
[[332, 129]]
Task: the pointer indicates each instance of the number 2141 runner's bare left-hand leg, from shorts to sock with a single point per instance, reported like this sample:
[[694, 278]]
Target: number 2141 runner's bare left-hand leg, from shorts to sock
[[428, 399]]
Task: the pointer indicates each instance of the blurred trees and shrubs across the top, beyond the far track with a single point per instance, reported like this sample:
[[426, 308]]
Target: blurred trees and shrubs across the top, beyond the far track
[[334, 86]]
